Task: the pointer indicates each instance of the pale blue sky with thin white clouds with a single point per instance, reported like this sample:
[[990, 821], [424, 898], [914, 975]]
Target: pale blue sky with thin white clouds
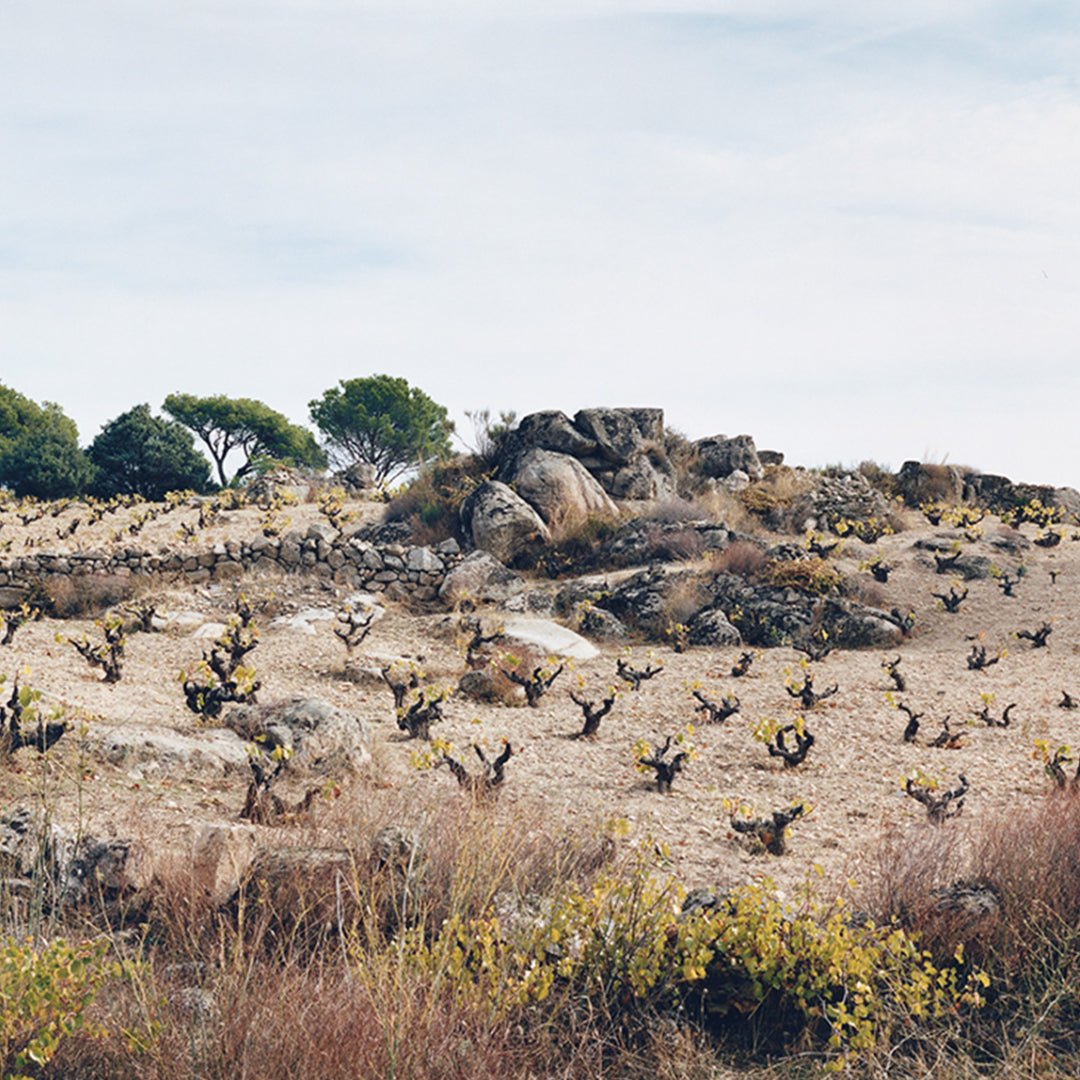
[[848, 229]]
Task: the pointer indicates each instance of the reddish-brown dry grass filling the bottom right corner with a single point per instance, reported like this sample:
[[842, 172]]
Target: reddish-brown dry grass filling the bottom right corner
[[1029, 942]]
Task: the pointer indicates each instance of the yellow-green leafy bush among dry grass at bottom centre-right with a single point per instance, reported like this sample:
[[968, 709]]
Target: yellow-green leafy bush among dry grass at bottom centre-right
[[624, 948]]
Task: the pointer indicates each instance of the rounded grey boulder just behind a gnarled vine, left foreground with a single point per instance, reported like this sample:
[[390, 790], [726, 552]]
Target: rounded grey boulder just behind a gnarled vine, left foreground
[[325, 740]]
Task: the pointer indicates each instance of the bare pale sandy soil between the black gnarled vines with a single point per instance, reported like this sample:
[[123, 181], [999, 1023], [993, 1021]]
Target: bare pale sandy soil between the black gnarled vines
[[853, 777]]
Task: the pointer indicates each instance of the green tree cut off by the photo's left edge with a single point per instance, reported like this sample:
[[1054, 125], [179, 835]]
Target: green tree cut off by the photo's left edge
[[39, 450]]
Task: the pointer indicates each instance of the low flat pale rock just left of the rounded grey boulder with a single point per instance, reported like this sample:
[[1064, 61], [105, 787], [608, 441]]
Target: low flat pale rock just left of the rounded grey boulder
[[156, 752]]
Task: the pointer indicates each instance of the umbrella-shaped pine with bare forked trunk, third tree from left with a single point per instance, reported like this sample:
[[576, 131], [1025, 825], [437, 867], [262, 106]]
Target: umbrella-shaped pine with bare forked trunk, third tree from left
[[242, 424]]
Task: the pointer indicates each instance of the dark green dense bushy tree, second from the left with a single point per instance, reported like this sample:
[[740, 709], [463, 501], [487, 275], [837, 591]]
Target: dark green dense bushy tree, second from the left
[[141, 454]]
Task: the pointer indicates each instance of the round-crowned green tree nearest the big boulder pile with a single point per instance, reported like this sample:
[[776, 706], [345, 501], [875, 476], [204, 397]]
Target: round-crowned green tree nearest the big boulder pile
[[382, 422]]
